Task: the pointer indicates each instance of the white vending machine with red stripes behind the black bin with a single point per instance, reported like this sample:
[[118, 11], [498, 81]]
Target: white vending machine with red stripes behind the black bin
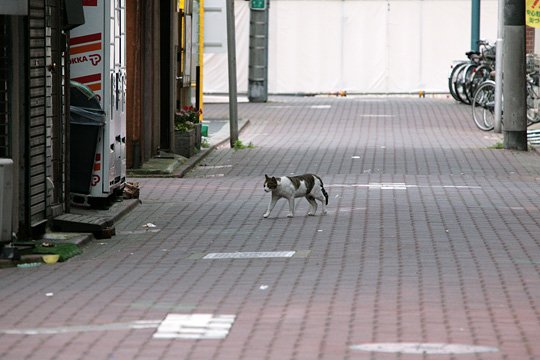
[[97, 60]]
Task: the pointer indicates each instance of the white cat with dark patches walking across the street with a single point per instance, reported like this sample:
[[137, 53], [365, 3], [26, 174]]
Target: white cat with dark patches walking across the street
[[289, 187]]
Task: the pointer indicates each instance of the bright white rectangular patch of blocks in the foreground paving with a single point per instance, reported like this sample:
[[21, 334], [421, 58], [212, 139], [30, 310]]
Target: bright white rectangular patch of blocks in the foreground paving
[[194, 327]]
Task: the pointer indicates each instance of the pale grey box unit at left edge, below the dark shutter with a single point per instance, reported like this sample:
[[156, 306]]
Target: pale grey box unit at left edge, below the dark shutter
[[6, 199]]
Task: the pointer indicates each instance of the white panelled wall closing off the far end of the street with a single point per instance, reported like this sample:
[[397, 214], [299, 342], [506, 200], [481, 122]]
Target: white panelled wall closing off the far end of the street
[[360, 46]]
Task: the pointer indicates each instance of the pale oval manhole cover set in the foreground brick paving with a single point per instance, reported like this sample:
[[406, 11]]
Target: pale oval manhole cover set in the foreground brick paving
[[426, 348]]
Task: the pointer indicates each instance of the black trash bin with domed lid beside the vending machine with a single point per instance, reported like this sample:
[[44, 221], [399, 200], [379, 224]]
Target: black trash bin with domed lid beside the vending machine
[[86, 121]]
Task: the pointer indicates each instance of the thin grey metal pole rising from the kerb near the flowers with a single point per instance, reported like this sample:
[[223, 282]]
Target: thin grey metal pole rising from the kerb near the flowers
[[231, 56]]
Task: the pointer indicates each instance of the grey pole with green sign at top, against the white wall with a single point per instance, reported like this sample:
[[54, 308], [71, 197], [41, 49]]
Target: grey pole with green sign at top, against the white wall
[[258, 51]]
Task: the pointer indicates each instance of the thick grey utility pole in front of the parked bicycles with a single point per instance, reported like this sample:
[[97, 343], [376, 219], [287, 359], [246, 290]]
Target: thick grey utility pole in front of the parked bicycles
[[514, 86]]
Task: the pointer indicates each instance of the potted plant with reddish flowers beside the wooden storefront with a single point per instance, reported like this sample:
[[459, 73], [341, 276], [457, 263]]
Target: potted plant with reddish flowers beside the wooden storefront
[[187, 134]]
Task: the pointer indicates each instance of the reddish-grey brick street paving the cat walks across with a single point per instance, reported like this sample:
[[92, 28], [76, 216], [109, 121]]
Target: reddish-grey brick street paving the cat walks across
[[431, 238]]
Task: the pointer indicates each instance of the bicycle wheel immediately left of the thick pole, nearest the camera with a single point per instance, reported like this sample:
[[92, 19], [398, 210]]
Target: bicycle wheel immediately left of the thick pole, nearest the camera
[[483, 106]]
